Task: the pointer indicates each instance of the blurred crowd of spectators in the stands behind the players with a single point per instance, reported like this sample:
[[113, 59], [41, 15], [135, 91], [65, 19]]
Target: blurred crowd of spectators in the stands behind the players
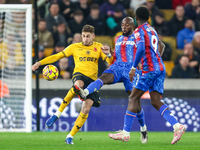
[[60, 23]]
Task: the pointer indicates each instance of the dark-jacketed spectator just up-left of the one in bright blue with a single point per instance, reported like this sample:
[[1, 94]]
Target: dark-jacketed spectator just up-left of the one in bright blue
[[177, 21]]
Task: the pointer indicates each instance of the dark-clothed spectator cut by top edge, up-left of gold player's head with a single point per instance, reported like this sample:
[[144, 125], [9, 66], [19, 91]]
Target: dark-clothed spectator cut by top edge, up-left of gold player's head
[[67, 9]]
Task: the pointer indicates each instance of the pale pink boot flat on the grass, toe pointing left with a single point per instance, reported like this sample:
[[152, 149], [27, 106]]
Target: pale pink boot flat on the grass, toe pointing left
[[122, 135]]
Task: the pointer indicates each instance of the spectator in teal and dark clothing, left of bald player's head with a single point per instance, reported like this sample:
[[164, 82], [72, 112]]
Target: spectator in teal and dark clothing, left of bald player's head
[[114, 22]]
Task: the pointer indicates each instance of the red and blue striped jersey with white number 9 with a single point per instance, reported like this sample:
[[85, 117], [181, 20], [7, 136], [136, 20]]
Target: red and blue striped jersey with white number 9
[[151, 59]]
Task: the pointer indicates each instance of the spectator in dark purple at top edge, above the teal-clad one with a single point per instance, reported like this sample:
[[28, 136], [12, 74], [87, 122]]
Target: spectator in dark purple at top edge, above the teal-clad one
[[107, 8]]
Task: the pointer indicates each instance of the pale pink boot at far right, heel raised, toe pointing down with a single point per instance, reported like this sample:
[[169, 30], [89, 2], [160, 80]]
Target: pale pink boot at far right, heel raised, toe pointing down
[[179, 129]]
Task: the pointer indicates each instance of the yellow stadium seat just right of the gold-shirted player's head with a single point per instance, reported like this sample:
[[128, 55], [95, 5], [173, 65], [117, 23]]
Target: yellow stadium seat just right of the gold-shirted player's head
[[104, 40]]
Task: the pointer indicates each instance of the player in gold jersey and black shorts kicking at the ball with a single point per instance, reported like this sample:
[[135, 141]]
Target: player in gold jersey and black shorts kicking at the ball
[[86, 55]]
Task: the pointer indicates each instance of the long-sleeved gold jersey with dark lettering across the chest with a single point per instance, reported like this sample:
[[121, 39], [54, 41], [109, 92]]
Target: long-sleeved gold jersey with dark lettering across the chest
[[85, 58]]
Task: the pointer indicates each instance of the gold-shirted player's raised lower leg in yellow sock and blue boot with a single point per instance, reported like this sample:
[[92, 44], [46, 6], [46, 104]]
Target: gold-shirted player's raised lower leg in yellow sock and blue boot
[[70, 95]]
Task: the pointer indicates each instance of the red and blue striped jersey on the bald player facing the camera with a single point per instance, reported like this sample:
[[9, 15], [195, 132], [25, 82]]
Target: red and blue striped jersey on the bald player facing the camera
[[125, 49]]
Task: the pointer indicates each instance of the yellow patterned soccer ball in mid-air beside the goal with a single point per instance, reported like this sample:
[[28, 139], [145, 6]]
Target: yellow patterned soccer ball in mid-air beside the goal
[[50, 72]]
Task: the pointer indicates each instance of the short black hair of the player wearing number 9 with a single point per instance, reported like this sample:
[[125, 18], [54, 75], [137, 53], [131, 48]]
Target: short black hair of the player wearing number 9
[[142, 13]]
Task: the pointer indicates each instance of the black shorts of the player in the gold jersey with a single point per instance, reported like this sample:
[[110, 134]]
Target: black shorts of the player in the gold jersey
[[95, 95]]
